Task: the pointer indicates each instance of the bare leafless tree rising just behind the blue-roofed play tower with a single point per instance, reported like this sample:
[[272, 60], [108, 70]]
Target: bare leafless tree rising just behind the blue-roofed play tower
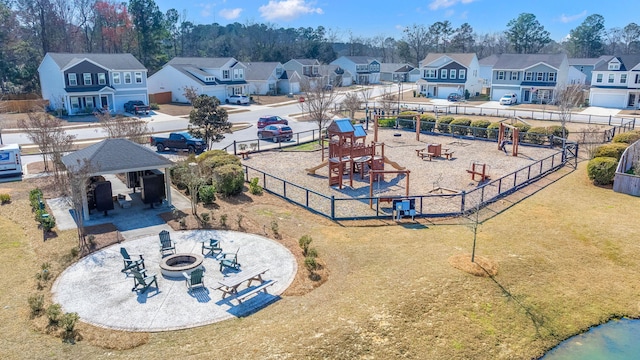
[[319, 101]]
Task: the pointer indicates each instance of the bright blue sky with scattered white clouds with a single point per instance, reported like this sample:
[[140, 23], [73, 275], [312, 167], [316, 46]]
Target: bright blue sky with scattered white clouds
[[388, 18]]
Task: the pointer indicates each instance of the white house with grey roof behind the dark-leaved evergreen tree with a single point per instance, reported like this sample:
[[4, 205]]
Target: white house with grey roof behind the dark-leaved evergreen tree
[[219, 77]]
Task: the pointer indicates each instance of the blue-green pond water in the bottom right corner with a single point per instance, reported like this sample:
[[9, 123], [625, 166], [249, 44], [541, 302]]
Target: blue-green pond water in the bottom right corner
[[617, 339]]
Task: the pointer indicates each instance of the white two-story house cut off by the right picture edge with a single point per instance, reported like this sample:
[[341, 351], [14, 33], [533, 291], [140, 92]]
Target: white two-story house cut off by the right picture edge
[[616, 83]]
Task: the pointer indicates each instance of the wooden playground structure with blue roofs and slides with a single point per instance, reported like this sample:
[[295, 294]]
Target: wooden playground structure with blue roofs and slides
[[348, 153]]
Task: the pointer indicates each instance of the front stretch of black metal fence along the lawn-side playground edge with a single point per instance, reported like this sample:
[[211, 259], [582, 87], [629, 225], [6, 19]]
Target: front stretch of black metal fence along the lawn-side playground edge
[[426, 205]]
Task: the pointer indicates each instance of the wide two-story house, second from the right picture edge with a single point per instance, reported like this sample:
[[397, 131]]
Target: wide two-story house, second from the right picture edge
[[532, 77]]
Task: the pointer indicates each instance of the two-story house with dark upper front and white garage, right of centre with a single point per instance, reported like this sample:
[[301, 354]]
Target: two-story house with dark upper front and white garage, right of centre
[[443, 74]]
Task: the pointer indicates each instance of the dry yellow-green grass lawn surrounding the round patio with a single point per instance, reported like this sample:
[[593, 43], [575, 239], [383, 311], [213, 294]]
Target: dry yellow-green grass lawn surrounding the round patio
[[567, 258]]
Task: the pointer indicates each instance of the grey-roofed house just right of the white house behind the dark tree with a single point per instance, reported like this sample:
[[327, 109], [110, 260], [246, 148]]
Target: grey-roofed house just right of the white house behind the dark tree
[[266, 78]]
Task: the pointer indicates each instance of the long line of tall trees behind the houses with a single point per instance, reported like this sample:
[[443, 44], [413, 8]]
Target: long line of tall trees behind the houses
[[31, 28]]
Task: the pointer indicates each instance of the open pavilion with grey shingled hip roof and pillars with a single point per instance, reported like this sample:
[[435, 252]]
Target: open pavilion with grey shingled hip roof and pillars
[[114, 156]]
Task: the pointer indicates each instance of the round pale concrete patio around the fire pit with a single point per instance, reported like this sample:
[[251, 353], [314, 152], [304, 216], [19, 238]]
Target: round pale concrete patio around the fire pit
[[102, 295]]
